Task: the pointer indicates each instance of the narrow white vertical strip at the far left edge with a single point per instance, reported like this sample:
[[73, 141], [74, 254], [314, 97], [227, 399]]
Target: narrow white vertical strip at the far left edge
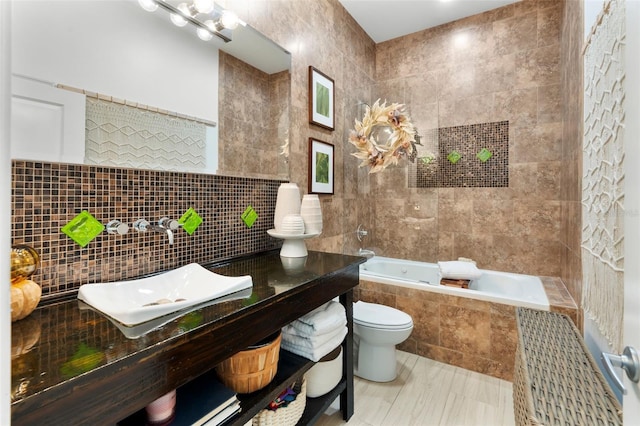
[[5, 213]]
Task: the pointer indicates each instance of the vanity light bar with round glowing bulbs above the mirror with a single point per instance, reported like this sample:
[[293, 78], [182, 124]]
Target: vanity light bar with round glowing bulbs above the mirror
[[203, 14]]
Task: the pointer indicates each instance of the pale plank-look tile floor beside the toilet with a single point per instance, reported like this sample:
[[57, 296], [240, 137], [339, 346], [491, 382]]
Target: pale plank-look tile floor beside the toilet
[[428, 392]]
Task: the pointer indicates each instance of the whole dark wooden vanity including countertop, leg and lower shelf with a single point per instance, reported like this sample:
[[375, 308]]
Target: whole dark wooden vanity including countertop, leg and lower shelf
[[133, 373]]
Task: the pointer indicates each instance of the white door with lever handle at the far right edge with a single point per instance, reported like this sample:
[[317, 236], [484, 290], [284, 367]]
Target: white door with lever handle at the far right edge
[[631, 401]]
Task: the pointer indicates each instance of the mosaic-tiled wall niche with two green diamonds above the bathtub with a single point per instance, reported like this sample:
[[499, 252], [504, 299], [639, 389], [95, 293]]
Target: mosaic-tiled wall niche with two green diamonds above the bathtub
[[475, 155]]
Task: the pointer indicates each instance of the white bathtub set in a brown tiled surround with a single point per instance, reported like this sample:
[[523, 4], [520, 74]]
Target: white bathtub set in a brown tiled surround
[[492, 286]]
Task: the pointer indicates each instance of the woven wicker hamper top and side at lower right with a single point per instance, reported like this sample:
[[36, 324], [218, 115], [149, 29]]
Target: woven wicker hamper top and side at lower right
[[556, 380]]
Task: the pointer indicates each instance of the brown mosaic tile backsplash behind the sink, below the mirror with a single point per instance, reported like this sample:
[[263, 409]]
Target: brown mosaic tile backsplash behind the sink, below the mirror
[[46, 196]]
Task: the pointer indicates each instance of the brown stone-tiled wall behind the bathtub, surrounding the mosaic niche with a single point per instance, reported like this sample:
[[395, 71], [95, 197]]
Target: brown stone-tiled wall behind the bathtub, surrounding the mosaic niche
[[502, 65]]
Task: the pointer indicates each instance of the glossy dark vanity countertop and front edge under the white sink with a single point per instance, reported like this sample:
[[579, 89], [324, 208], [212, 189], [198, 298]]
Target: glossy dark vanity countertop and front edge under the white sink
[[61, 350]]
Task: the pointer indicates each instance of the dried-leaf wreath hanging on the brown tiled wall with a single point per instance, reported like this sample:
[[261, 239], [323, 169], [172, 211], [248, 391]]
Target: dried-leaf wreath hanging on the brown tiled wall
[[384, 135]]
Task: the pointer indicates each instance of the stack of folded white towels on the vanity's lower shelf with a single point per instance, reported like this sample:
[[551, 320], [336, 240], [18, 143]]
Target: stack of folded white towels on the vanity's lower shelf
[[317, 333]]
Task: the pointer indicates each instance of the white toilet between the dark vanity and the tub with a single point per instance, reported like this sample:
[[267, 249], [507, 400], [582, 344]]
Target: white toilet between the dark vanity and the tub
[[377, 330]]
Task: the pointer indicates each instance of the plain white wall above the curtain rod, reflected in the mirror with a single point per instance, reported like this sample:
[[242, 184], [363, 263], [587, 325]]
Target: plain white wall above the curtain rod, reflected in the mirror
[[116, 48]]
